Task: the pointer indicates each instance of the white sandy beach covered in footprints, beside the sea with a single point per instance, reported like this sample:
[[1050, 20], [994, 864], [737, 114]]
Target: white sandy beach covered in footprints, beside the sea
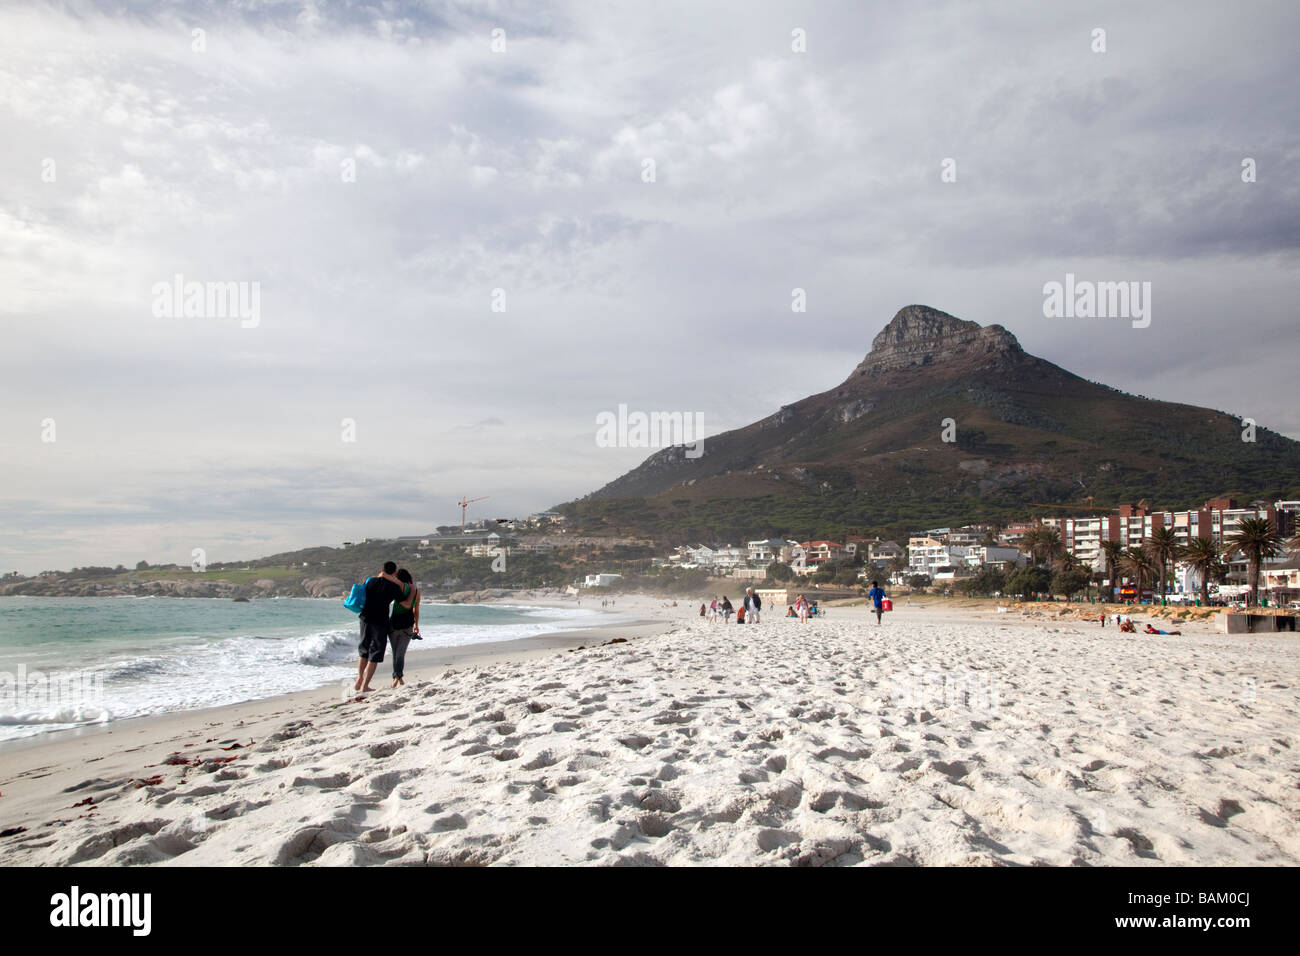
[[942, 738]]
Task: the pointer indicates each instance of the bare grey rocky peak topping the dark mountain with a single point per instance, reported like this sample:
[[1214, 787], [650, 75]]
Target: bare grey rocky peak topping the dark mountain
[[922, 336]]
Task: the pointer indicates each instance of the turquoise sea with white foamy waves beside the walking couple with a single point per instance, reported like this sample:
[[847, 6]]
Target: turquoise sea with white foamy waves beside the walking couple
[[70, 663]]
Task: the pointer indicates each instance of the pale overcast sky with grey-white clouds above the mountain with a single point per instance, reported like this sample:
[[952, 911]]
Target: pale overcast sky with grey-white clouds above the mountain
[[473, 228]]
